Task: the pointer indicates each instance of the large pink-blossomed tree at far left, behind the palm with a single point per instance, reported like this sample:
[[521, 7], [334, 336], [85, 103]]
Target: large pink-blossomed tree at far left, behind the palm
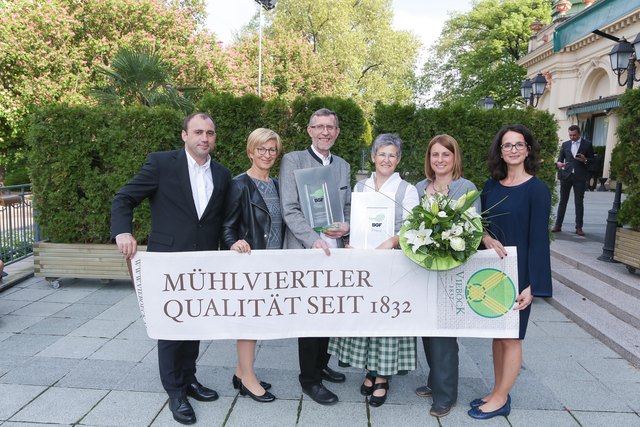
[[52, 51]]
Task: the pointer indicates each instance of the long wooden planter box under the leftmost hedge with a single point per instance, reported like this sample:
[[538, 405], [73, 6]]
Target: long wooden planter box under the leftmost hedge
[[55, 261]]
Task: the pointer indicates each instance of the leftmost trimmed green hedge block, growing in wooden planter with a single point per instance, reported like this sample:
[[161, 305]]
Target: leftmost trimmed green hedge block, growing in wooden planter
[[80, 156]]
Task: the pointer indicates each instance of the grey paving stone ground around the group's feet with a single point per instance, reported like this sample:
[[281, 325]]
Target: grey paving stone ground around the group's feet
[[79, 356]]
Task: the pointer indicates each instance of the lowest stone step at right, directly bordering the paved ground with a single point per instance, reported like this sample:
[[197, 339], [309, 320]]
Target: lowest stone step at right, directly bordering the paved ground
[[617, 334]]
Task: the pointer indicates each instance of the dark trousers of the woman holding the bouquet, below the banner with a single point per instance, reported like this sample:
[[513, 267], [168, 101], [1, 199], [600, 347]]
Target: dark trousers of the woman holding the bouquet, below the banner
[[442, 358]]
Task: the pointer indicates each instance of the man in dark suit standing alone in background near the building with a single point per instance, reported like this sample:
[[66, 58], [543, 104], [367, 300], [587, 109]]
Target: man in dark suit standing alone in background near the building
[[573, 172]]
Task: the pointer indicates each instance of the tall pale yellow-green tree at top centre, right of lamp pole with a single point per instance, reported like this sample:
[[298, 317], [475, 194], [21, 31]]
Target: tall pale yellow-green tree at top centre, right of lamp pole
[[375, 61]]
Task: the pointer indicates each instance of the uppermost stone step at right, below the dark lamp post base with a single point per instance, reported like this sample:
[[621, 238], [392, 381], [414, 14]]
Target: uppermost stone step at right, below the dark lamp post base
[[602, 271]]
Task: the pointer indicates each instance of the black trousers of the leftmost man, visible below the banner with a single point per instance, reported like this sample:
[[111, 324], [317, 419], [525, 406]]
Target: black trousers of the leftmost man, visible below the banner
[[177, 363]]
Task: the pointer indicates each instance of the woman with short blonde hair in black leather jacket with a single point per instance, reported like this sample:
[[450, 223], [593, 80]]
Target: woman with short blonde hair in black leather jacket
[[253, 221]]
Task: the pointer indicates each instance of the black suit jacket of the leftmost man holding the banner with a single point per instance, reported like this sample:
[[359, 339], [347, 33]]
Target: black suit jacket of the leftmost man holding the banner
[[175, 227]]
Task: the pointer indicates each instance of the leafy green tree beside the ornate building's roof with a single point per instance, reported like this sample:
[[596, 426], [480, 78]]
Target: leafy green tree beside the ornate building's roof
[[477, 53]]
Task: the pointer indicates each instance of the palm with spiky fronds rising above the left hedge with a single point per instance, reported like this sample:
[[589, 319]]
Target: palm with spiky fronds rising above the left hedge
[[140, 77]]
